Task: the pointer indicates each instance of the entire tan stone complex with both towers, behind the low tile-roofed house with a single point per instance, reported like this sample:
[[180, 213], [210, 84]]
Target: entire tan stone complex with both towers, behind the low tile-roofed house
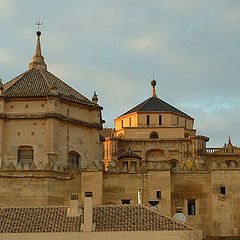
[[51, 147]]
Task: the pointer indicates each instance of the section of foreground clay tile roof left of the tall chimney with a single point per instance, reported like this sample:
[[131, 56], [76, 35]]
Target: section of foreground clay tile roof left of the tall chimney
[[42, 219]]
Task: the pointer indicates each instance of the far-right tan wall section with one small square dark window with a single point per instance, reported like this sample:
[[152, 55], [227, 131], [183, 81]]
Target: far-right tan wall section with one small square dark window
[[225, 208]]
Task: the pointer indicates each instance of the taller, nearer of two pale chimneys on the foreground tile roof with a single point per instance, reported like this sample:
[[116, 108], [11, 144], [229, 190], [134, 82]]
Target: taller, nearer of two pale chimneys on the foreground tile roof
[[88, 212]]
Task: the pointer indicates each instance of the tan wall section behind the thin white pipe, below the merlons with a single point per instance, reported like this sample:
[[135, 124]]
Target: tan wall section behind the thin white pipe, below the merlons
[[120, 186]]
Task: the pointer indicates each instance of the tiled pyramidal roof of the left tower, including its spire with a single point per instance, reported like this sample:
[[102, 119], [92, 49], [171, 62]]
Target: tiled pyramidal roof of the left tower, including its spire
[[39, 82]]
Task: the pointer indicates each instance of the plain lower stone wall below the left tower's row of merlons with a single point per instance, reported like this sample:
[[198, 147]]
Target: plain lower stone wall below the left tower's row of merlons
[[47, 188]]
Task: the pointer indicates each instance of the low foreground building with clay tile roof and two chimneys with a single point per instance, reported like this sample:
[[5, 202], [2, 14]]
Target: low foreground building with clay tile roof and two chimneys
[[104, 222]]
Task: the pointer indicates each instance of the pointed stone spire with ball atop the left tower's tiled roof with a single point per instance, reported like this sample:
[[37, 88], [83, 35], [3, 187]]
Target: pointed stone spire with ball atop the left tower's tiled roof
[[38, 59]]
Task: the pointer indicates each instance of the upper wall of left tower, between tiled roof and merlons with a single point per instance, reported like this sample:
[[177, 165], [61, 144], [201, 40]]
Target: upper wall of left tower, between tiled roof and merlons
[[51, 138]]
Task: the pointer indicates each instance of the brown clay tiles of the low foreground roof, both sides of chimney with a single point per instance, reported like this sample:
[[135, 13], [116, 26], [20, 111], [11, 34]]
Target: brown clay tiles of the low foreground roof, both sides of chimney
[[105, 218]]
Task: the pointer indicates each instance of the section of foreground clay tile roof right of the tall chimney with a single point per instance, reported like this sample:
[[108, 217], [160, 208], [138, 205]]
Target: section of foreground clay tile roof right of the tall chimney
[[134, 218]]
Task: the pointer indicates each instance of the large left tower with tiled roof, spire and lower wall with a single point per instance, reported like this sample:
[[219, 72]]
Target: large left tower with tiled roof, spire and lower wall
[[48, 132]]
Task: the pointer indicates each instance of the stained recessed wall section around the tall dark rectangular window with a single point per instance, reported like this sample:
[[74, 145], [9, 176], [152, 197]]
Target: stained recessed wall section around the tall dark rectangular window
[[185, 186]]
